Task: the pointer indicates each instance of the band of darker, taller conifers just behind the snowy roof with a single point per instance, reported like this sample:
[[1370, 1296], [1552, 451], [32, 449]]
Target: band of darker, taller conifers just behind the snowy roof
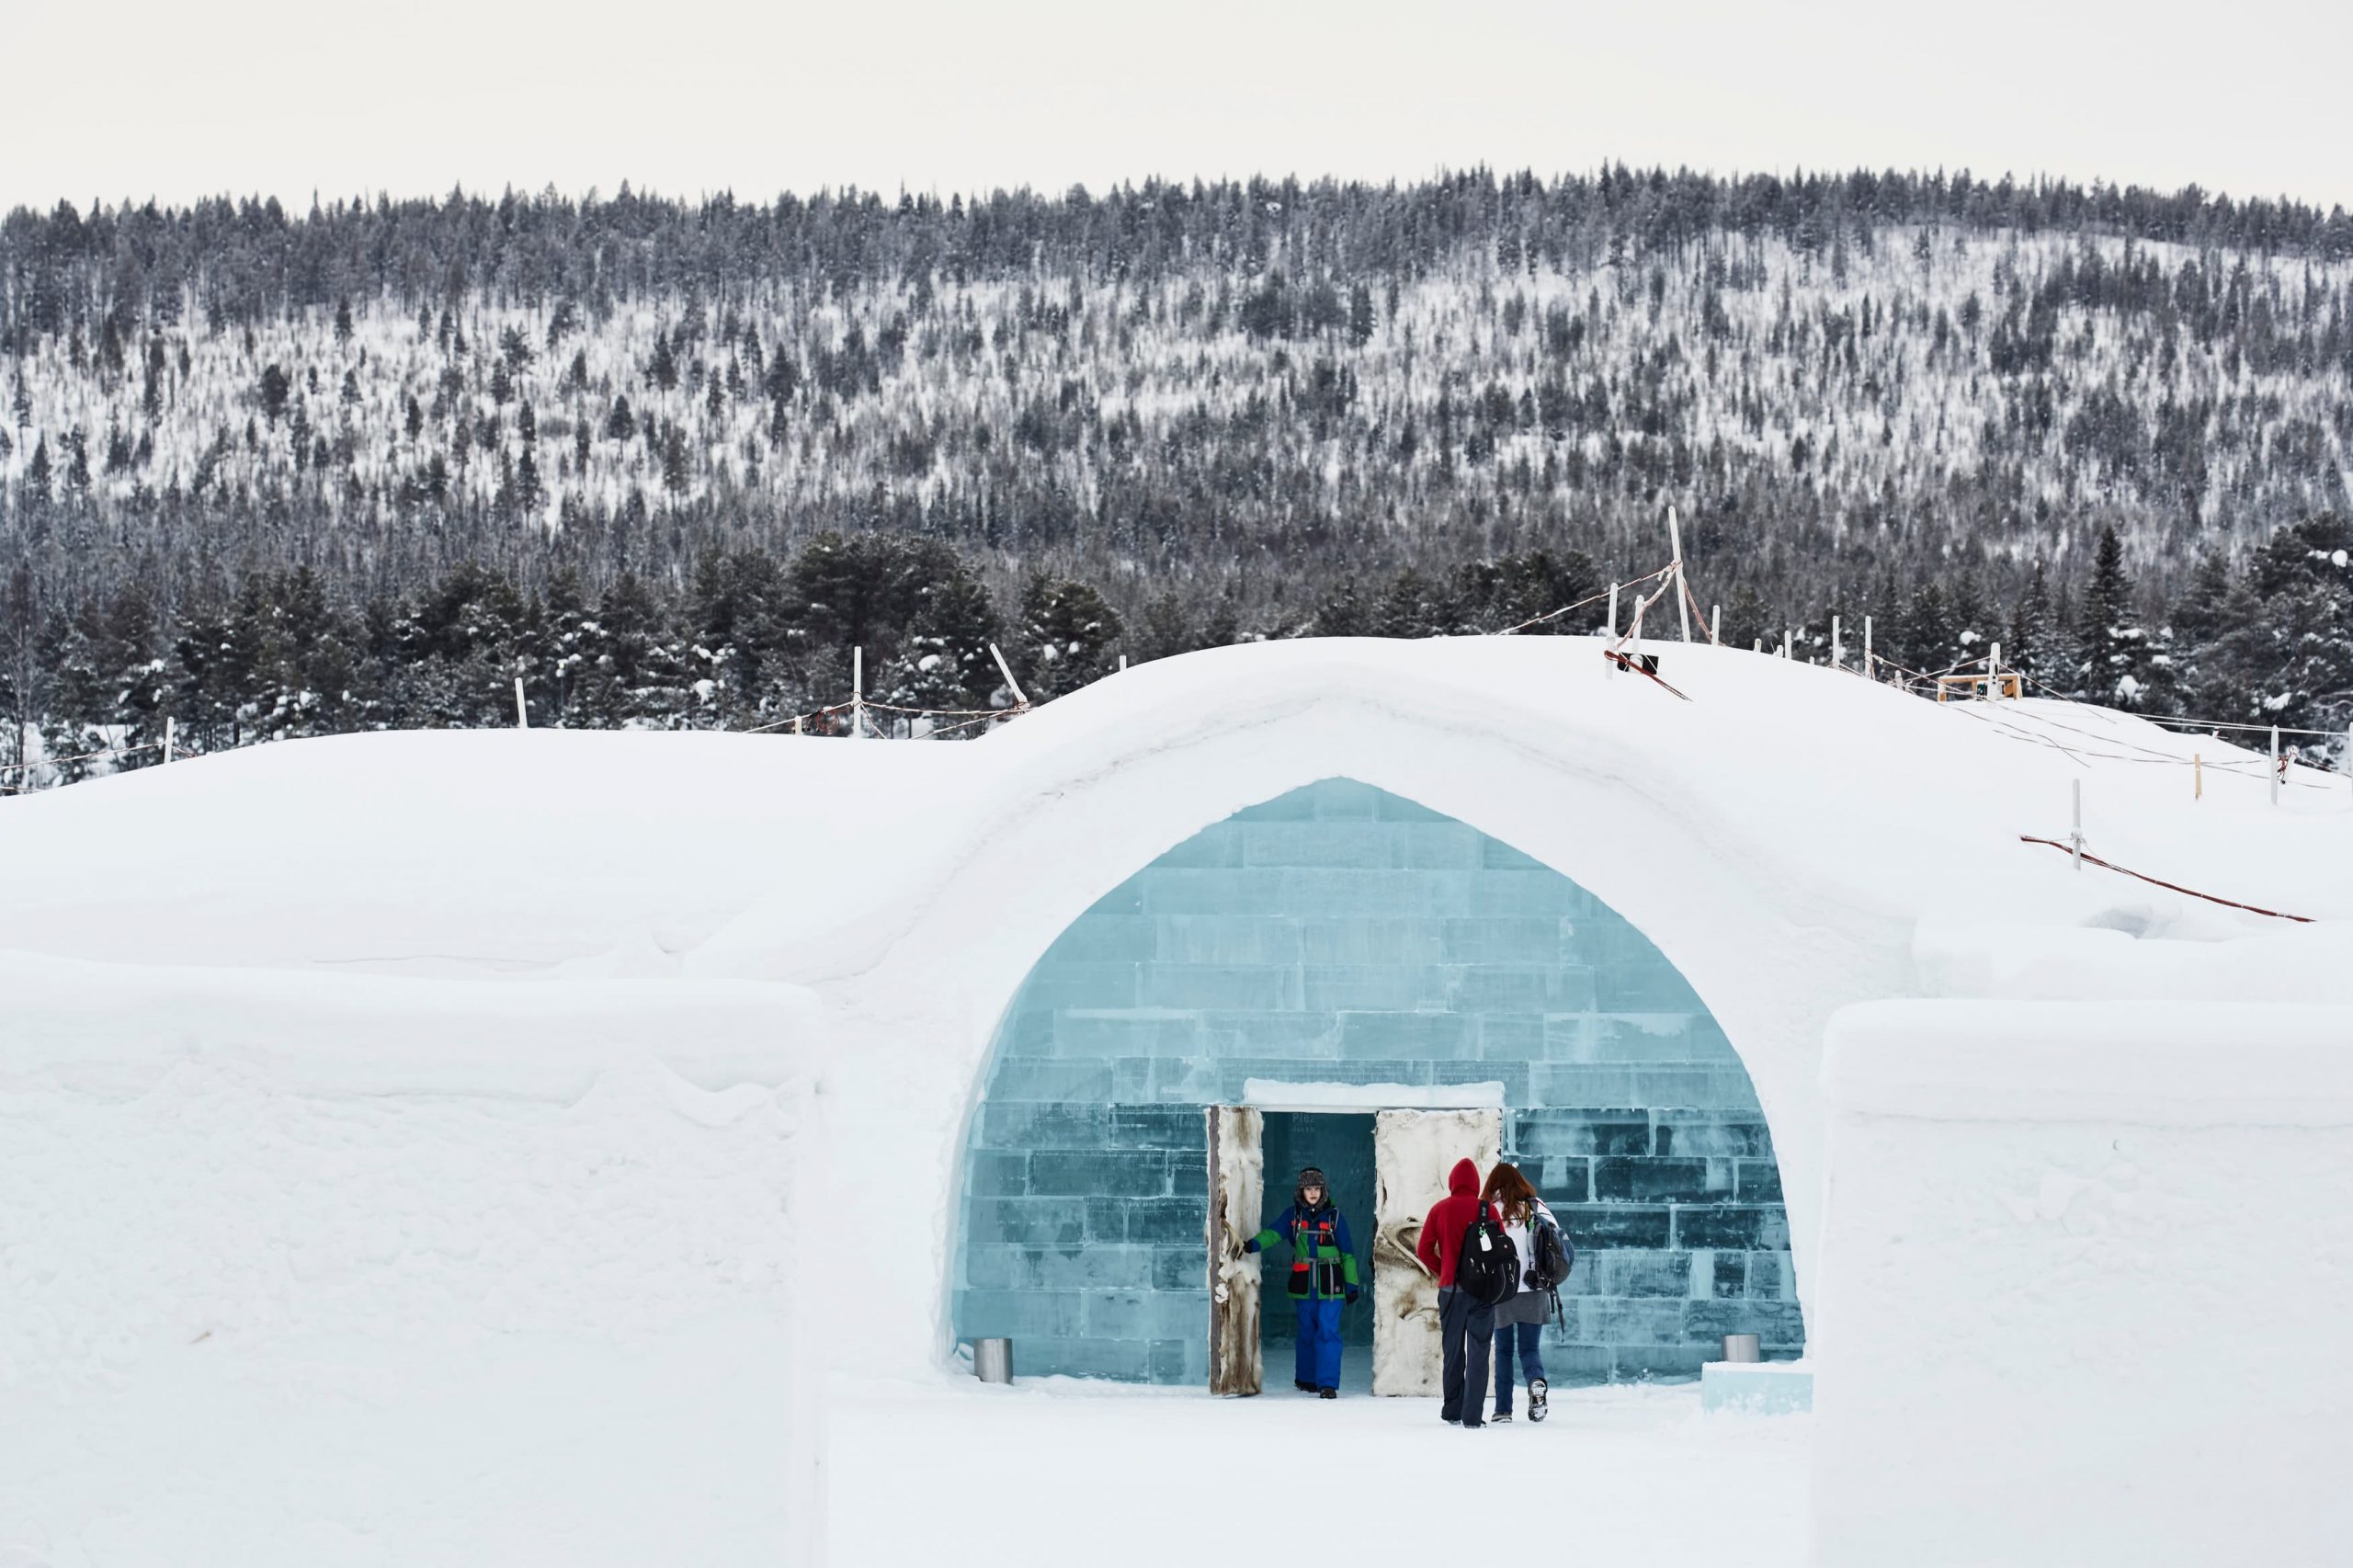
[[752, 642]]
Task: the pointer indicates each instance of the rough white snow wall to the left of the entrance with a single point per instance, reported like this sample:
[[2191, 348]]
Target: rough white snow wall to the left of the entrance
[[328, 1270]]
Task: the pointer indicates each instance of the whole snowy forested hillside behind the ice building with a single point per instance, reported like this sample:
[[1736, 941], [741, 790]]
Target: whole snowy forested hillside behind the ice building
[[669, 463]]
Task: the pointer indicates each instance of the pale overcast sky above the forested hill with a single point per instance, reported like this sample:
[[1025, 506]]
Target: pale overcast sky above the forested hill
[[178, 100]]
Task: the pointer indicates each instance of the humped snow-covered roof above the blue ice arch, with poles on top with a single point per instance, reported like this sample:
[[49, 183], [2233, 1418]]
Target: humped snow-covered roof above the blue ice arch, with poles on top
[[632, 853]]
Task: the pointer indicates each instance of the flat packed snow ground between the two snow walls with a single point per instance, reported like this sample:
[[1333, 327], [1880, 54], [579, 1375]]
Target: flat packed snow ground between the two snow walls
[[1062, 1473]]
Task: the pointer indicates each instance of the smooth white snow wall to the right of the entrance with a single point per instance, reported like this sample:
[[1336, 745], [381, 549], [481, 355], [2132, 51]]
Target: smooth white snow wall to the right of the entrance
[[2088, 1270]]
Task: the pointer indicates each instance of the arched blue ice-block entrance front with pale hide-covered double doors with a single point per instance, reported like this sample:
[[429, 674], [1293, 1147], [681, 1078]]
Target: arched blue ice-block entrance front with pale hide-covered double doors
[[1331, 955]]
